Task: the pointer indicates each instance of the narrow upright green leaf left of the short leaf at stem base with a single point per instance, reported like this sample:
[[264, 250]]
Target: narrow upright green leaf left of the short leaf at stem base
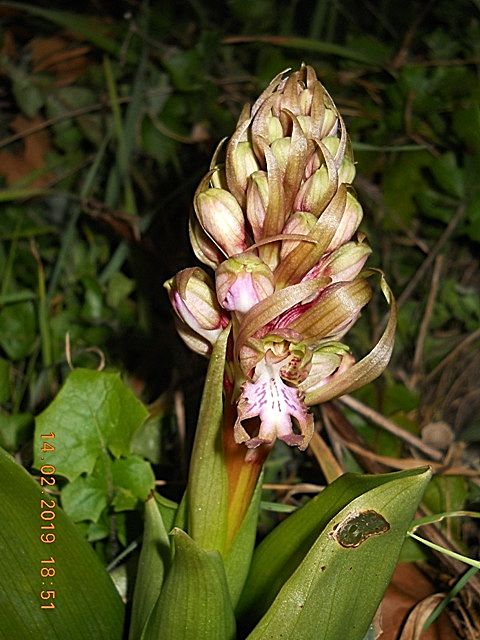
[[154, 561]]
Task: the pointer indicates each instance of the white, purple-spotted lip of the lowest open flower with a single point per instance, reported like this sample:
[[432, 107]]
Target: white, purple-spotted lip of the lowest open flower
[[275, 404]]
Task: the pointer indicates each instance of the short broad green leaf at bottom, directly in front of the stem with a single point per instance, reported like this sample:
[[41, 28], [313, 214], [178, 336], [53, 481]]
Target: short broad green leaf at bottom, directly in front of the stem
[[194, 603]]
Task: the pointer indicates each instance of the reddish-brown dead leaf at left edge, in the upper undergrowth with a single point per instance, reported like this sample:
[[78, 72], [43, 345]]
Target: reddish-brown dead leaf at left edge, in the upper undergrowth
[[15, 166]]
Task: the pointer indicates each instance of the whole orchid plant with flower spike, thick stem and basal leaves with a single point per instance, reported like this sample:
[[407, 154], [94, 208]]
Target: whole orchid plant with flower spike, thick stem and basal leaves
[[276, 222]]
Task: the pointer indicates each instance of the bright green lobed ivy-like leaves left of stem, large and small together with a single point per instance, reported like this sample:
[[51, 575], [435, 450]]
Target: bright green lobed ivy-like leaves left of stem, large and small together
[[94, 418]]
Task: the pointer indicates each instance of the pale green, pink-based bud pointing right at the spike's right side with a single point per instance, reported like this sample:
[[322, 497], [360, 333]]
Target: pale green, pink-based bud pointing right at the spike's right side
[[345, 263]]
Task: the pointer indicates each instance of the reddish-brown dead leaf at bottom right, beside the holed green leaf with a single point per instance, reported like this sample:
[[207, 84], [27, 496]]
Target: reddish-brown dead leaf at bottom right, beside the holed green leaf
[[409, 587]]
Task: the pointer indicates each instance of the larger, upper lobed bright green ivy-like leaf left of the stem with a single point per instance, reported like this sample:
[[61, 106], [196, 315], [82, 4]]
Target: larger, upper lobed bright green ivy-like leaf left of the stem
[[93, 414]]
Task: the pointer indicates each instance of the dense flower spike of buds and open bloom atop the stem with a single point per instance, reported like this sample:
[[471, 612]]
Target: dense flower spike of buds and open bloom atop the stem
[[276, 218]]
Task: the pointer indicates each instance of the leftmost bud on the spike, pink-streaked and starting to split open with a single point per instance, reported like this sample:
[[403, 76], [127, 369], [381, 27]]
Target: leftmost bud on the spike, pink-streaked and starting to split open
[[193, 298]]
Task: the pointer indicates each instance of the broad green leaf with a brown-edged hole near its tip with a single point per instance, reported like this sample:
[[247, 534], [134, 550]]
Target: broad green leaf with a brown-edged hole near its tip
[[338, 586]]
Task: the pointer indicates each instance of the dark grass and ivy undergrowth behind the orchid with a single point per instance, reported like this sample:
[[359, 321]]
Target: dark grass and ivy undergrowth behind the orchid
[[109, 118]]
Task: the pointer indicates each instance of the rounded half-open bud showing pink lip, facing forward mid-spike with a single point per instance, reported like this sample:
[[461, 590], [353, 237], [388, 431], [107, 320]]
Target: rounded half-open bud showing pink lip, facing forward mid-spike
[[242, 282]]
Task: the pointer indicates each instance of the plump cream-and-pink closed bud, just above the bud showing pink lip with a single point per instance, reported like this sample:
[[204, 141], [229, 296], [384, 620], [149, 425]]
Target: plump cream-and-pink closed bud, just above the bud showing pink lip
[[222, 218]]
